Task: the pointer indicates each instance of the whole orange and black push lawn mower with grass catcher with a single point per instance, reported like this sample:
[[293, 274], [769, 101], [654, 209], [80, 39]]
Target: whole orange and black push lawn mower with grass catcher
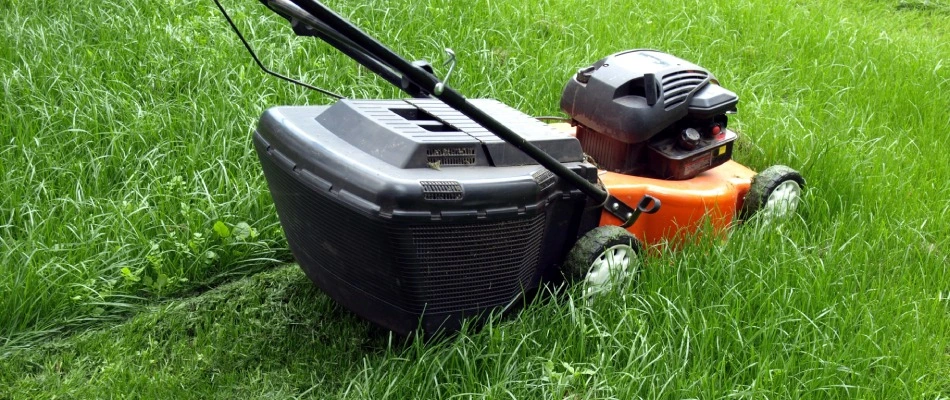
[[420, 213]]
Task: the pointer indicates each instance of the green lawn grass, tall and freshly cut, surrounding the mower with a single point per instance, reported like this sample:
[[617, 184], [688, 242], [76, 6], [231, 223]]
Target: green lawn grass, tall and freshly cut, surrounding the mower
[[138, 243]]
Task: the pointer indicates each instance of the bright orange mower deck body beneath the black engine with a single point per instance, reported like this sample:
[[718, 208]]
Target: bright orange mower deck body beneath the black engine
[[715, 195]]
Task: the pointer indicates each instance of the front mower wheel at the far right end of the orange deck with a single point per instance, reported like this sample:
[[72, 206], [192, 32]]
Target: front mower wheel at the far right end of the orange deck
[[774, 193]]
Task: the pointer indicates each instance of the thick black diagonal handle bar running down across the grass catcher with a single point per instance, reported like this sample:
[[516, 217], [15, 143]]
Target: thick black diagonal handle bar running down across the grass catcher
[[418, 82]]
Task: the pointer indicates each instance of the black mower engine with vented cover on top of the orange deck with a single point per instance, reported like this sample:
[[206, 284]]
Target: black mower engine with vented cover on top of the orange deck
[[643, 112]]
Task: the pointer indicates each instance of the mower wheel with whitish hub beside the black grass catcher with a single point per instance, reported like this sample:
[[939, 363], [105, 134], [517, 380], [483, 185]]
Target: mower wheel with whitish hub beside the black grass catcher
[[601, 257]]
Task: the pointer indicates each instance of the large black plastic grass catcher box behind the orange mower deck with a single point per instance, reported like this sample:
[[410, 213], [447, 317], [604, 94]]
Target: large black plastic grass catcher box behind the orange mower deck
[[410, 215]]
